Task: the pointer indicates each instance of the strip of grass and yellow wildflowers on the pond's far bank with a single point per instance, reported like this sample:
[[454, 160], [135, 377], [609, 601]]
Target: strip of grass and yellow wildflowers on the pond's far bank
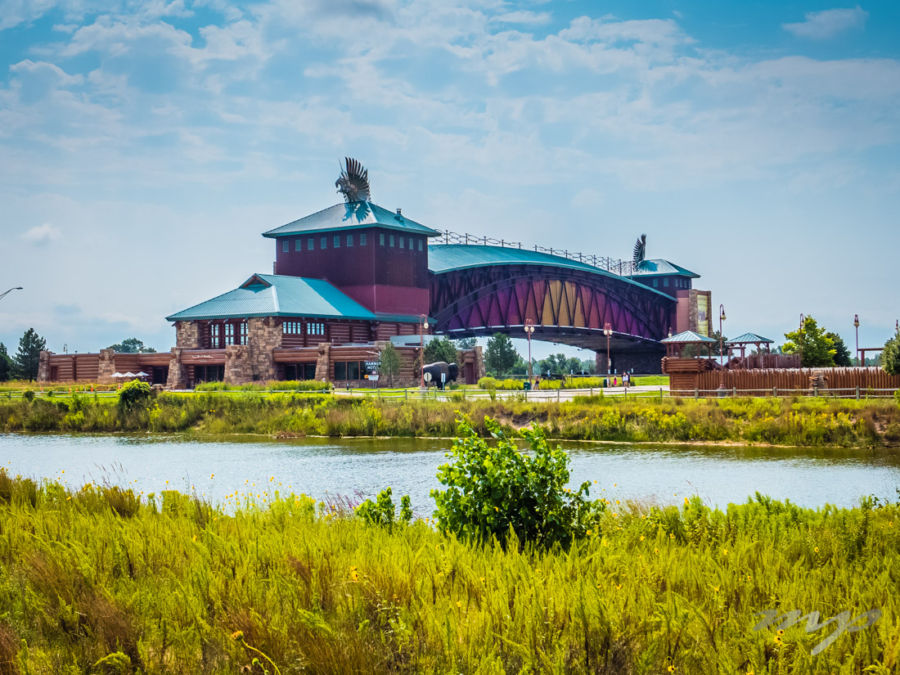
[[801, 422]]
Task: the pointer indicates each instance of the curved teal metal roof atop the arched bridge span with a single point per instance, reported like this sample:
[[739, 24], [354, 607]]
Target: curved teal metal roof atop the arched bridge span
[[449, 257]]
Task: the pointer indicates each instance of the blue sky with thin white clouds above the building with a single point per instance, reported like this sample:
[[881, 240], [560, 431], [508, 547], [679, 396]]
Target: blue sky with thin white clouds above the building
[[146, 145]]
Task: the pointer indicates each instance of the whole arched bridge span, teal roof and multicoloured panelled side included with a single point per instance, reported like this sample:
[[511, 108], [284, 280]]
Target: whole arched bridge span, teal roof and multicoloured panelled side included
[[482, 290]]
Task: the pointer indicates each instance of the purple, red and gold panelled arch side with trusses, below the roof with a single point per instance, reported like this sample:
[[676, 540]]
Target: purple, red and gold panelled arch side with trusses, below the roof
[[565, 306]]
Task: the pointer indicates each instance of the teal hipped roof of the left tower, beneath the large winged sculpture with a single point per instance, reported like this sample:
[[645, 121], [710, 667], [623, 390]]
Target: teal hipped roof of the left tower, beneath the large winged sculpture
[[348, 216]]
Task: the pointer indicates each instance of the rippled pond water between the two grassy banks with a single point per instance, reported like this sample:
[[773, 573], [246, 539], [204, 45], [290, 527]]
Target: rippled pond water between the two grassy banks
[[358, 468]]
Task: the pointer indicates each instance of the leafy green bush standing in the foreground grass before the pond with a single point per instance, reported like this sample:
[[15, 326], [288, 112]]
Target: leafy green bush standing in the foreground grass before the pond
[[493, 490]]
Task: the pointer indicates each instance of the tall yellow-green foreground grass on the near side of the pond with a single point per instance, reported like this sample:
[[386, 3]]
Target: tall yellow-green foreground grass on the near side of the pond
[[98, 581]]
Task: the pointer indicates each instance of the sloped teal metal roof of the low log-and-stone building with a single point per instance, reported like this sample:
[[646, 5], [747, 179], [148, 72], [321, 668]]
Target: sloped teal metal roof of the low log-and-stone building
[[279, 295]]
